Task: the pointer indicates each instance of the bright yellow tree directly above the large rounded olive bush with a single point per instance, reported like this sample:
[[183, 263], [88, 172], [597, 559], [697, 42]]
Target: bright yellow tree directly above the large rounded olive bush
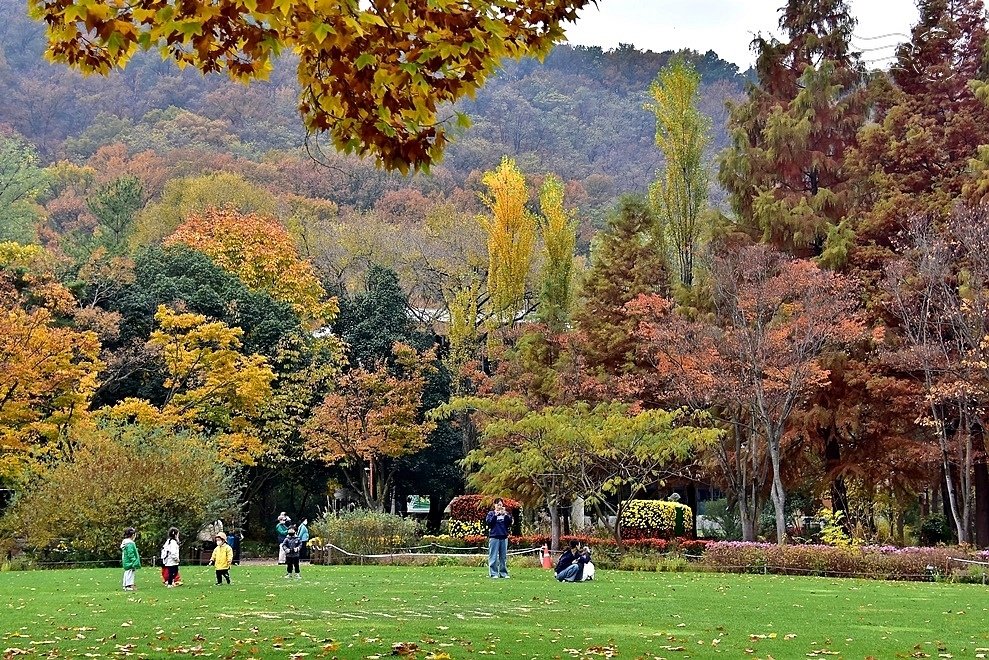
[[211, 387]]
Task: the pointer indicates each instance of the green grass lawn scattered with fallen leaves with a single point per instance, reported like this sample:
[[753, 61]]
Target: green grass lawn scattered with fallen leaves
[[455, 612]]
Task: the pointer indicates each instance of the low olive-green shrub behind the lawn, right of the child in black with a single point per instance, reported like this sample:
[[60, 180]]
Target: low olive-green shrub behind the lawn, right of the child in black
[[365, 532]]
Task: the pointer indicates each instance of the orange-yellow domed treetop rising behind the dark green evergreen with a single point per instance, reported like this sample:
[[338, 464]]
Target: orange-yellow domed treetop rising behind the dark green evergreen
[[259, 251]]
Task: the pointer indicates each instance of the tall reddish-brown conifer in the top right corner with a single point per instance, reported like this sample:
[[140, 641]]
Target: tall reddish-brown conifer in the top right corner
[[915, 158]]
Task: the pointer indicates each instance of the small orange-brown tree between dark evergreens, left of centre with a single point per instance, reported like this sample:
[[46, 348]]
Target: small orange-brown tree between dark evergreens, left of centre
[[372, 417]]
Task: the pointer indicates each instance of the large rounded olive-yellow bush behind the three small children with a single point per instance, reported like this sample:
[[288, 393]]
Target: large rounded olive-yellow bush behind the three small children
[[121, 475]]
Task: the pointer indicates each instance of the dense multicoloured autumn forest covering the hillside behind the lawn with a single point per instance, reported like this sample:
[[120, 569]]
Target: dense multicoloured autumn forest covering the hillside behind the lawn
[[633, 273]]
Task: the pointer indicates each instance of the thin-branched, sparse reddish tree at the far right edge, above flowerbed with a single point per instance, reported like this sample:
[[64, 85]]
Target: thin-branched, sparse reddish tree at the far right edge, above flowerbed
[[939, 290]]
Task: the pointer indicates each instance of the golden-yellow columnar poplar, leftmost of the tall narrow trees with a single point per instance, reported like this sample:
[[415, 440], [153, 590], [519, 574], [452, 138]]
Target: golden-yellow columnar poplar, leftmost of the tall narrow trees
[[511, 230]]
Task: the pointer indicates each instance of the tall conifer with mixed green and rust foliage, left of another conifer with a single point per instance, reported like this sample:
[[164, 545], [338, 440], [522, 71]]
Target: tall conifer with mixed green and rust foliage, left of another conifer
[[783, 171]]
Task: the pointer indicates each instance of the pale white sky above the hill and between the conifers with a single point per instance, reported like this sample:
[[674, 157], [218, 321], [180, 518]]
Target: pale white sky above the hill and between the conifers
[[727, 26]]
